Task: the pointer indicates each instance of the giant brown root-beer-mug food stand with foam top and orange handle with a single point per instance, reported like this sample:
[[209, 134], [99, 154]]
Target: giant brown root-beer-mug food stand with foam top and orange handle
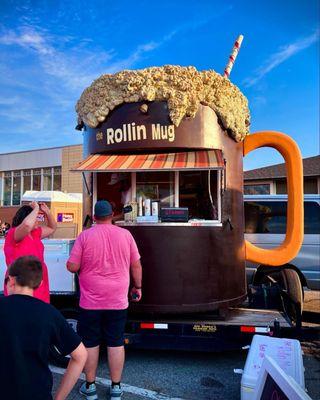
[[175, 138]]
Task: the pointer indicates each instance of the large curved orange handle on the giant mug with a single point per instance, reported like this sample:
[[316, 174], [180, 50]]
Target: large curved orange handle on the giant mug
[[294, 232]]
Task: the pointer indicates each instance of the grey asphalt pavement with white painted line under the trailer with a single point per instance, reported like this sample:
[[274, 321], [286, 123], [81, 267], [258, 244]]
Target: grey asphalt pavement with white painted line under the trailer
[[163, 375]]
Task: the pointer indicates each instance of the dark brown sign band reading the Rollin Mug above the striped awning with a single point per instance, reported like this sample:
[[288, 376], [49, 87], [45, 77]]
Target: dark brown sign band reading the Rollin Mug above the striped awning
[[130, 130]]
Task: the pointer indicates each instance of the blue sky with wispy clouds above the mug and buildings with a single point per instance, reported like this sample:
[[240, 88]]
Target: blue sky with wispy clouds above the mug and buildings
[[51, 50]]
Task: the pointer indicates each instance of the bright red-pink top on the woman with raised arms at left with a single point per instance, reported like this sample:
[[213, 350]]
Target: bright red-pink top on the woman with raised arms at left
[[31, 245]]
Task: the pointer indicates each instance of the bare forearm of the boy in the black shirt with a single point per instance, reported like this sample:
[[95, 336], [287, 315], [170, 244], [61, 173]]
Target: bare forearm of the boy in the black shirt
[[73, 371]]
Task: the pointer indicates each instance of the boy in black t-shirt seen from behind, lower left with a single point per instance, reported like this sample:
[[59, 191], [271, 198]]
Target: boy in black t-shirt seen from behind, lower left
[[28, 328]]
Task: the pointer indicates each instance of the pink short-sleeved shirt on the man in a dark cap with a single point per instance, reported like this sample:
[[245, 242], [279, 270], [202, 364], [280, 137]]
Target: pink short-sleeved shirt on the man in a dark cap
[[104, 253]]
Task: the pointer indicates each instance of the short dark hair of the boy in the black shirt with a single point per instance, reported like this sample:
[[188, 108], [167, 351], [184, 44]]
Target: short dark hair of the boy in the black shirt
[[27, 270]]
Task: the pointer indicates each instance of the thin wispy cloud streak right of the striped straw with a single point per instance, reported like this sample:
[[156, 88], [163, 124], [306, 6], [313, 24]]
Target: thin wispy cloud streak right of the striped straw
[[280, 56]]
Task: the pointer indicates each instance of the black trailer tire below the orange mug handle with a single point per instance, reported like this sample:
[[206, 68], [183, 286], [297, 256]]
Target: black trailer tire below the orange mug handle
[[291, 284]]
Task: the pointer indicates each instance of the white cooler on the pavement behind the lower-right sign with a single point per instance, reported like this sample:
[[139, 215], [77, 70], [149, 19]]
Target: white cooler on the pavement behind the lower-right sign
[[285, 352]]
